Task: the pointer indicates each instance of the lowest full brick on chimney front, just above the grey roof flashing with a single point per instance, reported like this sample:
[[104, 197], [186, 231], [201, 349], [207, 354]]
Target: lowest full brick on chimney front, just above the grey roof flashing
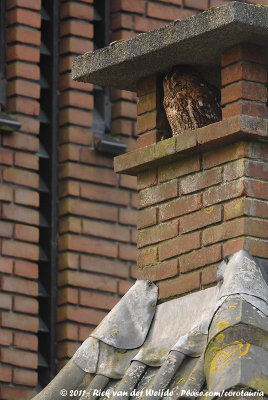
[[177, 286]]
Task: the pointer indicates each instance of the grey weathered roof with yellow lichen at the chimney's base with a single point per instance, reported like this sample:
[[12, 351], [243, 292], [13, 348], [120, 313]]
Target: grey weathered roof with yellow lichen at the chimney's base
[[214, 340]]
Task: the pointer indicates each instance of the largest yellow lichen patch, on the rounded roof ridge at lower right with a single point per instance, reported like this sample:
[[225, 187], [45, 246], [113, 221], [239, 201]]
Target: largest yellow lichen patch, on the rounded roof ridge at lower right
[[228, 355]]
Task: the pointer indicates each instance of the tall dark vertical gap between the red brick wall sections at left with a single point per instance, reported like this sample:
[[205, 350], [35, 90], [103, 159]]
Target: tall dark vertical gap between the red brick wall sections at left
[[48, 192]]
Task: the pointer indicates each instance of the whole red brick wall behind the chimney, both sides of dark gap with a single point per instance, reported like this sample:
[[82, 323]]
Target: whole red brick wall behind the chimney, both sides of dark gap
[[97, 210]]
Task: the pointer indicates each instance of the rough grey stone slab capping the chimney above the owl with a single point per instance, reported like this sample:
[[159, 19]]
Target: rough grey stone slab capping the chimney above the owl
[[198, 40]]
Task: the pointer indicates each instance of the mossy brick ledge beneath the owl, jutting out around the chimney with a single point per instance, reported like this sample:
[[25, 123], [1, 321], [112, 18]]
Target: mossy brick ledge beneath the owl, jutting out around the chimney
[[195, 141]]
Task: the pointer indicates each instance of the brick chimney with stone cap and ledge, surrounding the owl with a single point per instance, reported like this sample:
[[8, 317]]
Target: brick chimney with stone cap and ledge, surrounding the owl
[[202, 194]]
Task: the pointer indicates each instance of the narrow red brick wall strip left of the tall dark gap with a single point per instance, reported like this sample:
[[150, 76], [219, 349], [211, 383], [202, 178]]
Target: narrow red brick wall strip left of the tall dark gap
[[19, 197]]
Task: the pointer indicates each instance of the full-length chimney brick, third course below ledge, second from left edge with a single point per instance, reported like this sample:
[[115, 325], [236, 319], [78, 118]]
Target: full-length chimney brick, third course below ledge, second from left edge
[[182, 205]]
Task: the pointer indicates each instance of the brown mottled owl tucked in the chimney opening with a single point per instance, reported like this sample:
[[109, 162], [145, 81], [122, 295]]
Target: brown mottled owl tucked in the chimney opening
[[189, 101]]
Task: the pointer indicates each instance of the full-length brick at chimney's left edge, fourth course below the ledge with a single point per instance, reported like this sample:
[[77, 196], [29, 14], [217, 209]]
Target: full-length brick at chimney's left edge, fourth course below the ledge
[[158, 233]]
